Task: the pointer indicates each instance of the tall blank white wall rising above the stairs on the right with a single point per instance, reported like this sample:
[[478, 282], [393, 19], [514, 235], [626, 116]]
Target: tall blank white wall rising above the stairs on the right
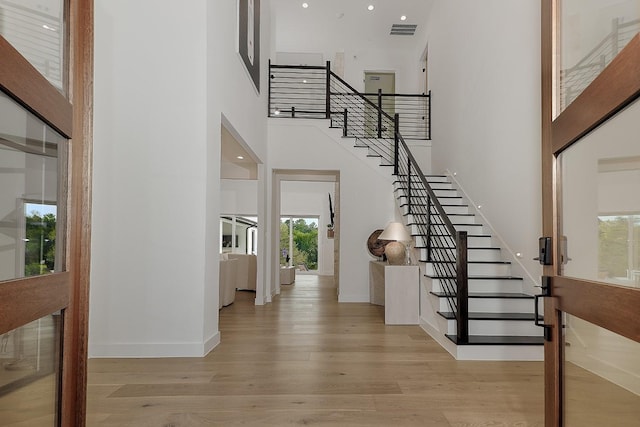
[[484, 73]]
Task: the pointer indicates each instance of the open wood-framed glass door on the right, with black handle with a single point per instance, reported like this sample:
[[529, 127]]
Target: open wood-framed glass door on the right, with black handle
[[591, 208]]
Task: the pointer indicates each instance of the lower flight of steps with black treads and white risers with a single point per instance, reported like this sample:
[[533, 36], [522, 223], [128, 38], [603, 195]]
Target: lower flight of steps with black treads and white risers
[[500, 314]]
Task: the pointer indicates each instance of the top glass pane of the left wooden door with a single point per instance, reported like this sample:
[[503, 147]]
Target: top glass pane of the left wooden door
[[37, 30]]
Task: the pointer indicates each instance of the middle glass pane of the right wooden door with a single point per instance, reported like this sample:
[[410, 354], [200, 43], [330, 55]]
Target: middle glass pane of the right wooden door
[[601, 203]]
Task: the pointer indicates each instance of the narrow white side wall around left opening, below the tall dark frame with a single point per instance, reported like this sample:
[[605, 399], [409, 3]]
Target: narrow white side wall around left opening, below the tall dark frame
[[233, 98]]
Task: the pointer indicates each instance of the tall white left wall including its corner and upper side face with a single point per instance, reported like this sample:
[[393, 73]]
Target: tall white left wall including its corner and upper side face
[[164, 75]]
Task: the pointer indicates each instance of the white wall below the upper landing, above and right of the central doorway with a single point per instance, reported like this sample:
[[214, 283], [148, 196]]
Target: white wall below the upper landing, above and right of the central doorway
[[366, 194]]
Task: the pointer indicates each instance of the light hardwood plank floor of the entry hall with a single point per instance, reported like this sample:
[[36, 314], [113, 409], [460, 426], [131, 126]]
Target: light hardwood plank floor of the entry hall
[[307, 360]]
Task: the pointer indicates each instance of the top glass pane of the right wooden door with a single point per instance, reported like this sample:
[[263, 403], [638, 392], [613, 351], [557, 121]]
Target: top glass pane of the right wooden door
[[591, 34]]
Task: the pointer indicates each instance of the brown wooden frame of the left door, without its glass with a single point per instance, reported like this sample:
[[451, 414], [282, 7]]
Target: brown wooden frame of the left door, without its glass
[[71, 116]]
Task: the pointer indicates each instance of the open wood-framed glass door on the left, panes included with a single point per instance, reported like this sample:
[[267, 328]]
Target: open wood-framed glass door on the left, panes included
[[45, 157]]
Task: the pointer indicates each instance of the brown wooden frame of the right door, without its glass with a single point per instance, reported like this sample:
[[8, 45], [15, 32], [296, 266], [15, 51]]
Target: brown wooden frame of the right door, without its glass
[[614, 89]]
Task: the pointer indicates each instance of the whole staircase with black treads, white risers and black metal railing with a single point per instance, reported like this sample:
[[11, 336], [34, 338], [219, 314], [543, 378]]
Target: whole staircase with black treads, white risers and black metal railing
[[471, 303]]
